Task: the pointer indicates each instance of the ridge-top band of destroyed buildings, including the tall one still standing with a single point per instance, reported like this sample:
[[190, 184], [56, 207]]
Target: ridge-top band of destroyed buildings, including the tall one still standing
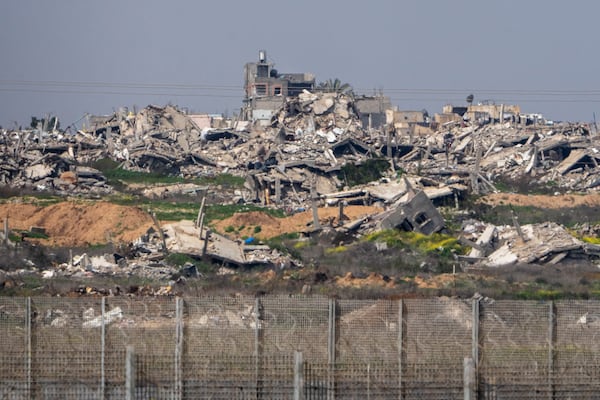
[[297, 141]]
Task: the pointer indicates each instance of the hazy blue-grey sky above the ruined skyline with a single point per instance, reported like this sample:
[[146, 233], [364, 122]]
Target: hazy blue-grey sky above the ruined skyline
[[71, 57]]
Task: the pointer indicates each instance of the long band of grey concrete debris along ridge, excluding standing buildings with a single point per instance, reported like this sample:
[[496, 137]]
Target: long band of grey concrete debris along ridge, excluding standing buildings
[[310, 138]]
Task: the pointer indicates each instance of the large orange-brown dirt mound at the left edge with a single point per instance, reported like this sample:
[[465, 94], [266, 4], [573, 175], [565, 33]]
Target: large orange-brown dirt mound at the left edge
[[79, 223]]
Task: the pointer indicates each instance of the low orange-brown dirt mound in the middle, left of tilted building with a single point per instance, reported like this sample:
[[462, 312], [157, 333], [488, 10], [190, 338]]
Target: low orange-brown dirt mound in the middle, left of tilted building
[[265, 226]]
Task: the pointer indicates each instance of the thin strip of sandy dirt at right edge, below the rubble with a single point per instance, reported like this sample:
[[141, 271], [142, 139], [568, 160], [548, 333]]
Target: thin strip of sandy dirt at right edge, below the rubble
[[542, 201]]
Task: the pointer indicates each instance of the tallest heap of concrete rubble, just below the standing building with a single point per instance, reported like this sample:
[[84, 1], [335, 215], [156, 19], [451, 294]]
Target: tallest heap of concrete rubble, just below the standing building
[[310, 138]]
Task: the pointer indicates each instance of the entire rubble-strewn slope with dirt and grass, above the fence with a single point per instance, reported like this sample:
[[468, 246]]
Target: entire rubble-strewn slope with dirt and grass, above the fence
[[154, 203]]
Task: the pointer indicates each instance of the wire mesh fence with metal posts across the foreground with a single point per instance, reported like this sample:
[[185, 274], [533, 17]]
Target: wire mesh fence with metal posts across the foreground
[[281, 347]]
